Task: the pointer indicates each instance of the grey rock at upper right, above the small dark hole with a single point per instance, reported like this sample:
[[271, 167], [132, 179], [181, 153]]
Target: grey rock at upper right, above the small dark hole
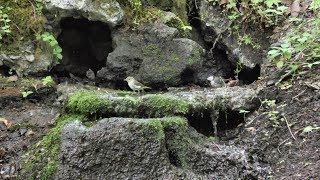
[[216, 25]]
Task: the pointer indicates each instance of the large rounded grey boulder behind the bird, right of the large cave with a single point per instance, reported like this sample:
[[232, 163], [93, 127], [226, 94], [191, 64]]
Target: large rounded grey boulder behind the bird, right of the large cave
[[155, 56]]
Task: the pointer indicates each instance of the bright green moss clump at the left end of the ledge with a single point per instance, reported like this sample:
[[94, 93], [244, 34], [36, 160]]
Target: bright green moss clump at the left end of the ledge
[[87, 102]]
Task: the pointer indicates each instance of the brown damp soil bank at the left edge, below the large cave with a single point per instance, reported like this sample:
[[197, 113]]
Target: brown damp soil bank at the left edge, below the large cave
[[30, 120]]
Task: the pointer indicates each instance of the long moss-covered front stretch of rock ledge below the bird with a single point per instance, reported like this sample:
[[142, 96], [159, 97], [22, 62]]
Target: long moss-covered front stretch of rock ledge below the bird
[[91, 102]]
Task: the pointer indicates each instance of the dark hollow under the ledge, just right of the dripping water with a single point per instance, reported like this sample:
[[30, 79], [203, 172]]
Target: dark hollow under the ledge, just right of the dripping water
[[228, 120]]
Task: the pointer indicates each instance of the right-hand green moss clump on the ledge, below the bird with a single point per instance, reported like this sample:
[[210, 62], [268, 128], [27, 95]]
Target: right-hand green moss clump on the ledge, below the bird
[[164, 105]]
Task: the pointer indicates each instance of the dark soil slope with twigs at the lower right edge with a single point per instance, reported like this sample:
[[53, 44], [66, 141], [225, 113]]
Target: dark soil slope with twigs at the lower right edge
[[291, 152]]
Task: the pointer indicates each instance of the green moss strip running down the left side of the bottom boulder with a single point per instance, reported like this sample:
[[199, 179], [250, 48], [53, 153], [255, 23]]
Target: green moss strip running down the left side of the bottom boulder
[[40, 160]]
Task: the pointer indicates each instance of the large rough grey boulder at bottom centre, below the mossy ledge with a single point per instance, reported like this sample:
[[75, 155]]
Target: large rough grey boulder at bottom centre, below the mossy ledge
[[125, 148]]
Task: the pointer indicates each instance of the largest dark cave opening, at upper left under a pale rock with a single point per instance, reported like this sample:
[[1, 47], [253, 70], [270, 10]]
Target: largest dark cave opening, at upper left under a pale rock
[[85, 45]]
